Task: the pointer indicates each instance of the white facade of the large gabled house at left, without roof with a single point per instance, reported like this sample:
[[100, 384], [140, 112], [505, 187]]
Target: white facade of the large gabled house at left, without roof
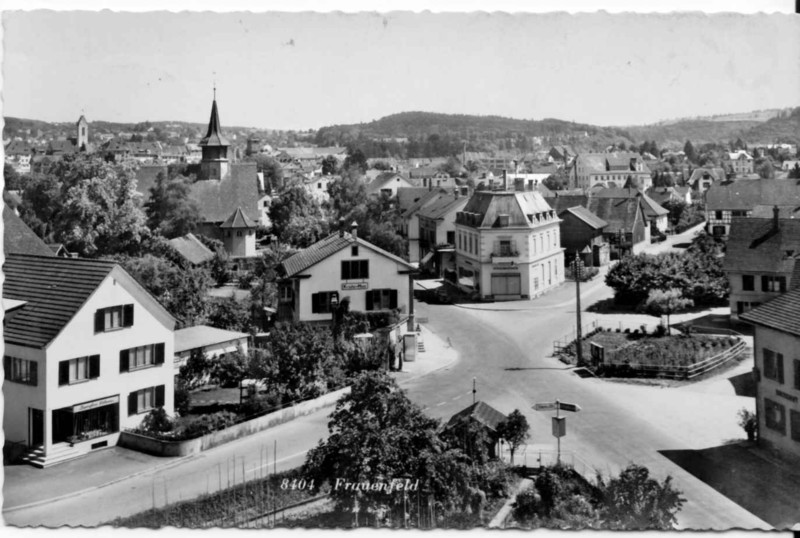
[[36, 414]]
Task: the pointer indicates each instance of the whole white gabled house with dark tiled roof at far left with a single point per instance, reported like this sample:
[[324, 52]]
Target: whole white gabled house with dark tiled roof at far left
[[88, 352]]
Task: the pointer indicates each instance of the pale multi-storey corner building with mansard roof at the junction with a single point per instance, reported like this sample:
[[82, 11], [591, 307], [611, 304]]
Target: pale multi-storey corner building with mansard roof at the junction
[[508, 246]]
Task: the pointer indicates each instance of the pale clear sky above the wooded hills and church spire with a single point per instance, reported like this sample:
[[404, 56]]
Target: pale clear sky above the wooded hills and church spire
[[280, 70]]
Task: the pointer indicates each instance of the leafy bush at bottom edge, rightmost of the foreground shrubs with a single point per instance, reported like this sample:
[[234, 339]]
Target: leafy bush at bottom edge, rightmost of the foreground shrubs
[[634, 501]]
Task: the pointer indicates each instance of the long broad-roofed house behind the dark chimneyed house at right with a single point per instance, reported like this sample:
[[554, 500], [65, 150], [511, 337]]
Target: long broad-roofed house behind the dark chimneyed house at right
[[737, 199]]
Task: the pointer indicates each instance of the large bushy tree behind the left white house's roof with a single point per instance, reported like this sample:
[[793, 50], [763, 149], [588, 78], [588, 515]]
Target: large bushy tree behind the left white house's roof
[[87, 204]]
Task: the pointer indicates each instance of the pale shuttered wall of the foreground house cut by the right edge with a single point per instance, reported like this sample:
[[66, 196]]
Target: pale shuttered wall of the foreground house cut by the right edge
[[775, 399]]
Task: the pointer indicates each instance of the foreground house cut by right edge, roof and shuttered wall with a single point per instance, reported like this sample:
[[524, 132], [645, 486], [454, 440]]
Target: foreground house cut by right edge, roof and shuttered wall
[[777, 371]]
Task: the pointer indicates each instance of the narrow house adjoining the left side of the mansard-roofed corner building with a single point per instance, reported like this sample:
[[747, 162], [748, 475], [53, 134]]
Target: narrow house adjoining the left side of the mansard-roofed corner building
[[437, 232]]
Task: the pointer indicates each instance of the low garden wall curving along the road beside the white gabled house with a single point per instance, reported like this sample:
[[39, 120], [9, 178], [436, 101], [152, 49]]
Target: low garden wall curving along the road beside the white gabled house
[[166, 448]]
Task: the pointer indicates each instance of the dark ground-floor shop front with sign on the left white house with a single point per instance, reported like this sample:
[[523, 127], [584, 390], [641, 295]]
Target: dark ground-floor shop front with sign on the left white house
[[86, 421]]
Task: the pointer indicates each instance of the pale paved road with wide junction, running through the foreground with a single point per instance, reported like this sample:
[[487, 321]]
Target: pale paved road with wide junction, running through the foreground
[[506, 350]]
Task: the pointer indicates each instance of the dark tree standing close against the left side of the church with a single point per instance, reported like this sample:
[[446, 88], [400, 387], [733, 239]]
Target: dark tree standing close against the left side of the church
[[169, 210]]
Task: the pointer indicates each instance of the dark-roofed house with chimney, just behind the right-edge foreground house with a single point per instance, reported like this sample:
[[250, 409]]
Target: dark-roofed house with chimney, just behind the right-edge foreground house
[[760, 257]]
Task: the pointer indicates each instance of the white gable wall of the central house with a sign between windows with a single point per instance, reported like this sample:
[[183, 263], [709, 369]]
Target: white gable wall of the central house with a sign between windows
[[326, 276]]
